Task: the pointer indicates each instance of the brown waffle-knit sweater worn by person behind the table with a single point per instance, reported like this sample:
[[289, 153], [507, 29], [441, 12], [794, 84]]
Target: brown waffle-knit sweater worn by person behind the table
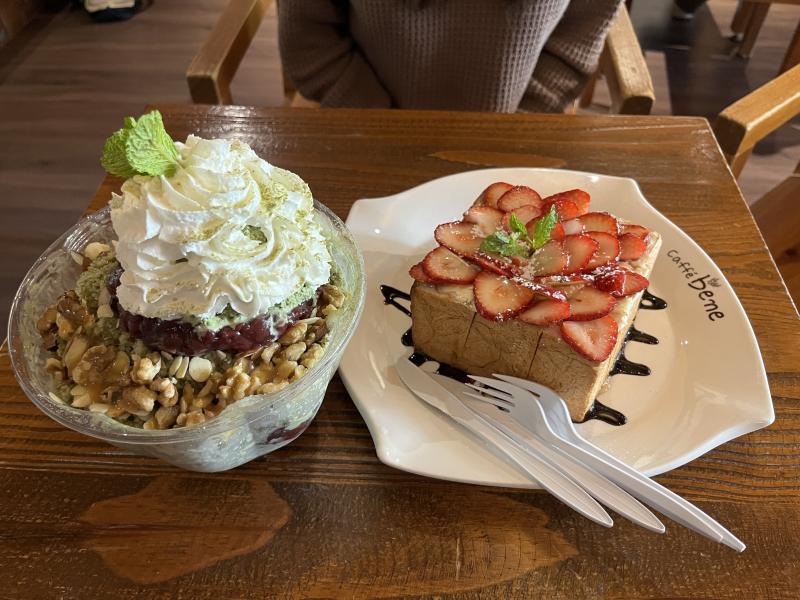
[[489, 55]]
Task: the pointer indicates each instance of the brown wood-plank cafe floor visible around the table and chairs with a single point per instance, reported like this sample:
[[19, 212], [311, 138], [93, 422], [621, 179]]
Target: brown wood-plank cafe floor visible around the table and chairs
[[66, 83]]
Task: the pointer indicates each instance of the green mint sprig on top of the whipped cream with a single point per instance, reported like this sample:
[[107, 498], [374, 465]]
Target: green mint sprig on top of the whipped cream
[[141, 147]]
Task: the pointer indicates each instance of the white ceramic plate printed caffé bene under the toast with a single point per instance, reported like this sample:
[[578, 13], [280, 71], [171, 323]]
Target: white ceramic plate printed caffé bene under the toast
[[707, 385]]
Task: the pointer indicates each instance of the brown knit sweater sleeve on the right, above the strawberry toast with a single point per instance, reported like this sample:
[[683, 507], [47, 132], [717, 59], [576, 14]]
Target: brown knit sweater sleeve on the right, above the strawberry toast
[[570, 55]]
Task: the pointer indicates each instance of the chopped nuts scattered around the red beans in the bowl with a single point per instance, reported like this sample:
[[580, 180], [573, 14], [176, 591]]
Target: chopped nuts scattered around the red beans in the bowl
[[158, 390]]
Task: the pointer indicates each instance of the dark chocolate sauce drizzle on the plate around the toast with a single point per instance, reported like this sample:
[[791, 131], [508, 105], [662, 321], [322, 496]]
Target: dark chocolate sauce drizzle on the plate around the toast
[[622, 366]]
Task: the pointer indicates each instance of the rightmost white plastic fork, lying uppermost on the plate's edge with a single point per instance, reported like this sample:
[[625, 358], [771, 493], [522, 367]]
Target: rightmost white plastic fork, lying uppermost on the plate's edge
[[520, 398]]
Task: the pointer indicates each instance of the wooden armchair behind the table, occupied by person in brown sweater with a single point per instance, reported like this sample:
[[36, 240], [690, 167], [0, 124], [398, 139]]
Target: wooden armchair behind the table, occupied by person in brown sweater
[[214, 66]]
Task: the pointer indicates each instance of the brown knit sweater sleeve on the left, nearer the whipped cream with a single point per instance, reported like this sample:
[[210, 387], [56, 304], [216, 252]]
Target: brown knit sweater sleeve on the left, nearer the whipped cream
[[321, 58]]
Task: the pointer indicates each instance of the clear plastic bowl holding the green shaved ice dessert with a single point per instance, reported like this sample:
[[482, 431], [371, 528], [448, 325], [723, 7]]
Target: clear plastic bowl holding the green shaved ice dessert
[[254, 426]]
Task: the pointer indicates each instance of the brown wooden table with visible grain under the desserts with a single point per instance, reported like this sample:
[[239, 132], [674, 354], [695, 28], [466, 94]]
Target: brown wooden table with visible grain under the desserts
[[322, 518]]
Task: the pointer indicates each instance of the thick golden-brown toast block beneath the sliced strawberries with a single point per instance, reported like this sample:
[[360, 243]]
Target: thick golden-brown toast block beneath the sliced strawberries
[[446, 327]]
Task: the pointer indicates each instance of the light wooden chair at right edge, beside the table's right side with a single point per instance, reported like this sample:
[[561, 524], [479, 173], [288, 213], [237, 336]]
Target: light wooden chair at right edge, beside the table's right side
[[738, 128]]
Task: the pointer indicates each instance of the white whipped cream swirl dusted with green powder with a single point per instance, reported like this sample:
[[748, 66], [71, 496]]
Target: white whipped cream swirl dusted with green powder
[[227, 228]]
